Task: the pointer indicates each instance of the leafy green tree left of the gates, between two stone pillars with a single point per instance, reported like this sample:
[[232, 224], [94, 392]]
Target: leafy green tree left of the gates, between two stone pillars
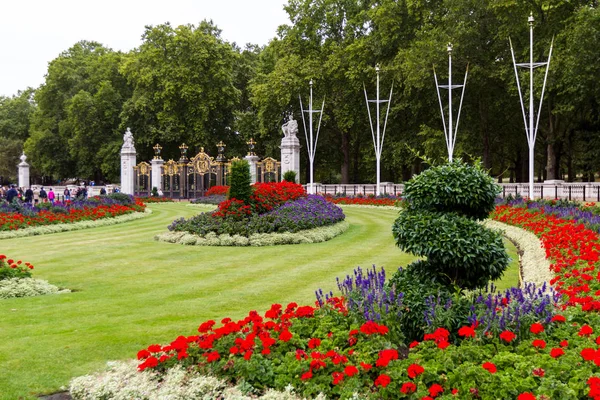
[[75, 129]]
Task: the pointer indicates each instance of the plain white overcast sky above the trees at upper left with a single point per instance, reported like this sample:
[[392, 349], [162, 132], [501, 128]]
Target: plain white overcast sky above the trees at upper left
[[34, 32]]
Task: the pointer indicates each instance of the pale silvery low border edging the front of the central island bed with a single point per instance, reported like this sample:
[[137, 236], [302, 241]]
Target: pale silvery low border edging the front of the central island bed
[[316, 235]]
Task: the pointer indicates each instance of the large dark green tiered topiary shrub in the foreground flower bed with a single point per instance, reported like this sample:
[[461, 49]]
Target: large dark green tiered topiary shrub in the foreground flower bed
[[440, 222]]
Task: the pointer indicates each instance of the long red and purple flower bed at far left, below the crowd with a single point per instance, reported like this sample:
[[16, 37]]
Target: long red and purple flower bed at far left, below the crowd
[[22, 216]]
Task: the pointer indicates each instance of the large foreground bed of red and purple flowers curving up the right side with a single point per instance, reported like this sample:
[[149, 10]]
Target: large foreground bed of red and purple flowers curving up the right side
[[520, 344]]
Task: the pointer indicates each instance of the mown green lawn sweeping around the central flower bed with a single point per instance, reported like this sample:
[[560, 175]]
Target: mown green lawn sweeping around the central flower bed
[[132, 291]]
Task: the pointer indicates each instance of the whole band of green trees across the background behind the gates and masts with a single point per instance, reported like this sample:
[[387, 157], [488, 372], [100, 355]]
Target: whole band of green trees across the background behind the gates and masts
[[187, 84]]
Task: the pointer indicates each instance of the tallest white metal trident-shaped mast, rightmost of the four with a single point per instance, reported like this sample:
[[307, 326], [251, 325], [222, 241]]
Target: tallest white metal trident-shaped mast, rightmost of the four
[[531, 129]]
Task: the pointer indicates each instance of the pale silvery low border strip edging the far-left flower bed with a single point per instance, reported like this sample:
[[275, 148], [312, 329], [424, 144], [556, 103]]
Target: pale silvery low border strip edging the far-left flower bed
[[46, 229]]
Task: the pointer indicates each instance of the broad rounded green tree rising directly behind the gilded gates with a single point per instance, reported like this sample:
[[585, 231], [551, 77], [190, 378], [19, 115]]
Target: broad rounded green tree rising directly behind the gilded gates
[[183, 88]]
